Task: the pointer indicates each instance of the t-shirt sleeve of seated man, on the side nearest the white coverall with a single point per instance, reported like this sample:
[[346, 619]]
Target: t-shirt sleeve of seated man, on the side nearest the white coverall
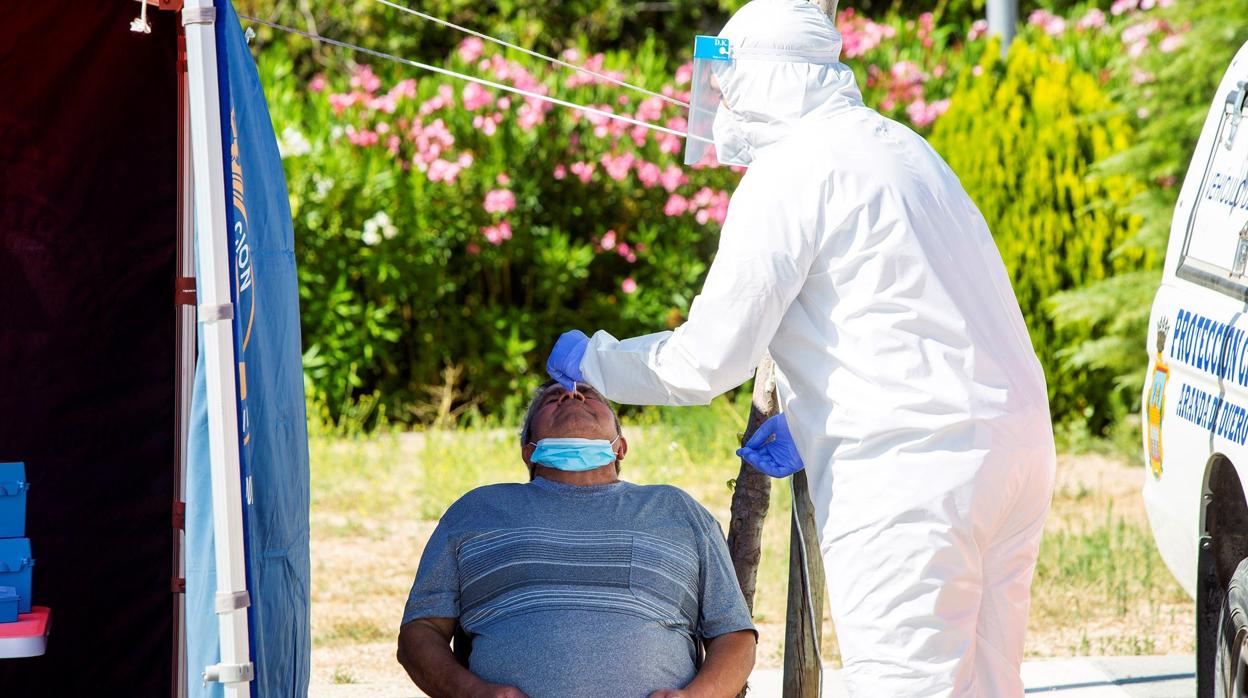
[[723, 606]]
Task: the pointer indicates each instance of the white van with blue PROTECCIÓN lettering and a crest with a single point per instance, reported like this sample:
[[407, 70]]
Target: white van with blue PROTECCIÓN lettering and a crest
[[1195, 408]]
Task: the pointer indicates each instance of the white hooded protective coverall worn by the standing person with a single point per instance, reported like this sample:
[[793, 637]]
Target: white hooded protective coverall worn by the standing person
[[903, 365]]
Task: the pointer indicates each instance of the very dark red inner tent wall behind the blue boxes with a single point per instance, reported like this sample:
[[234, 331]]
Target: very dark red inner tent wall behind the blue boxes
[[88, 242]]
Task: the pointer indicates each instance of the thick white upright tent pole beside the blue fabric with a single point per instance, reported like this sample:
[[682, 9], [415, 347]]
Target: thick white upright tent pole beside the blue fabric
[[217, 328]]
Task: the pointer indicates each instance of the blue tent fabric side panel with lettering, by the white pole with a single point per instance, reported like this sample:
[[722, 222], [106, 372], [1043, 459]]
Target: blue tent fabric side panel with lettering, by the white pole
[[273, 425]]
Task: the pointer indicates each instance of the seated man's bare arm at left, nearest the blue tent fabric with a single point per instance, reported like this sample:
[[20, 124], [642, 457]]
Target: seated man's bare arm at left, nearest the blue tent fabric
[[425, 652]]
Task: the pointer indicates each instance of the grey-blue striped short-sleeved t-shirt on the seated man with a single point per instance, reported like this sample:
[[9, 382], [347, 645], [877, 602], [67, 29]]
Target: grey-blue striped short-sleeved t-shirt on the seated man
[[581, 591]]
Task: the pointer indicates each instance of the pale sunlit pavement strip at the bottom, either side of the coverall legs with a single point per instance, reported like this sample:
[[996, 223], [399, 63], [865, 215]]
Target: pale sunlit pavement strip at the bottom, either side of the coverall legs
[[1095, 677]]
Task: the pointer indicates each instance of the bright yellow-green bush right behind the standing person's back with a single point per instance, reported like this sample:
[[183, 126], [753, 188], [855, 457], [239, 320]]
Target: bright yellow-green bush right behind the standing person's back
[[1021, 137]]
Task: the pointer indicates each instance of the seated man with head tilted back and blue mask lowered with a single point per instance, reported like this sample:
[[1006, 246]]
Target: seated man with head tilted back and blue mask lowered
[[577, 584]]
